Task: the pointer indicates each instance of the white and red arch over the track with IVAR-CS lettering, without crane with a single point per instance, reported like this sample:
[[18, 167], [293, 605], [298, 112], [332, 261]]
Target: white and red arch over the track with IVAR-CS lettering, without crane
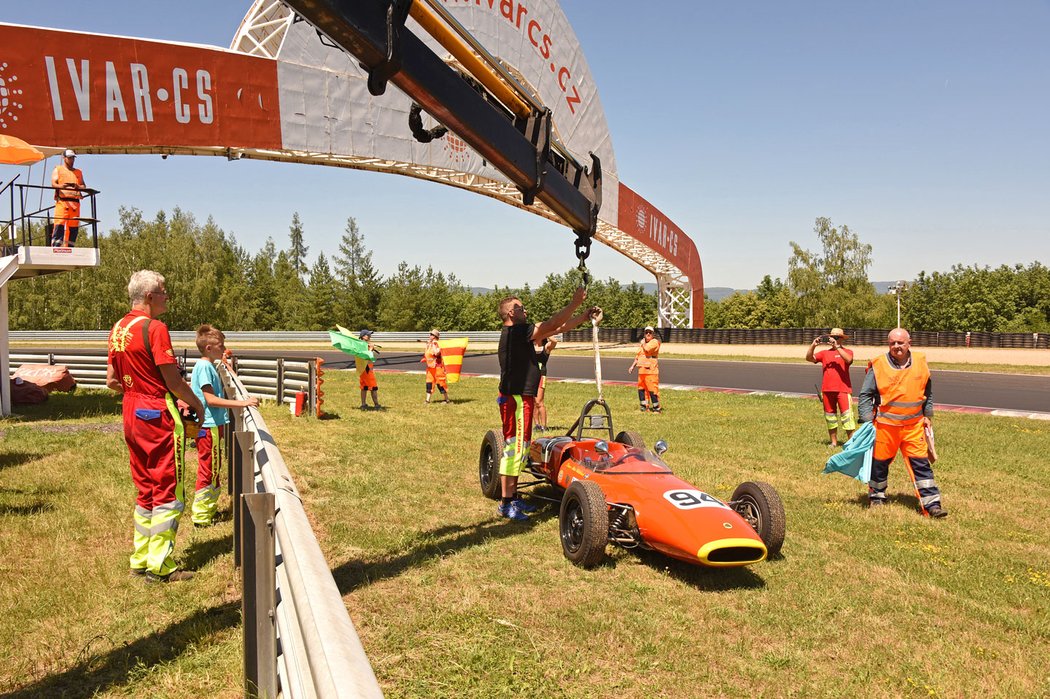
[[282, 93]]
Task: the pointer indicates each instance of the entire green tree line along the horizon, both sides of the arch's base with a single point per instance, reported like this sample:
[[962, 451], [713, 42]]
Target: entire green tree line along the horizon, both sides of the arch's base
[[215, 280]]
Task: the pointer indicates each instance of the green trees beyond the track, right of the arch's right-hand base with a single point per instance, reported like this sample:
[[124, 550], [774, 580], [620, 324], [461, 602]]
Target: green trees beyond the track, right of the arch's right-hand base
[[831, 288]]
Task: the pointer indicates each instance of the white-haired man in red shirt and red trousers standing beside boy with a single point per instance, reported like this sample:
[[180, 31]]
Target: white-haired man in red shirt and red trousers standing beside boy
[[142, 367]]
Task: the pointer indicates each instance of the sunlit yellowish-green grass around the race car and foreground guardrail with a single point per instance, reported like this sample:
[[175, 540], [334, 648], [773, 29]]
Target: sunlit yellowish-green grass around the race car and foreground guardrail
[[452, 602]]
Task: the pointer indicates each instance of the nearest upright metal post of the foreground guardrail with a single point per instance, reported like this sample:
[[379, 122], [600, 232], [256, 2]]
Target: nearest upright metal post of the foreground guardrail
[[259, 599]]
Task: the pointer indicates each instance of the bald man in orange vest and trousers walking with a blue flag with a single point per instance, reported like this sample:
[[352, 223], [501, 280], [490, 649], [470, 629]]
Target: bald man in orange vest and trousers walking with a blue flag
[[899, 387]]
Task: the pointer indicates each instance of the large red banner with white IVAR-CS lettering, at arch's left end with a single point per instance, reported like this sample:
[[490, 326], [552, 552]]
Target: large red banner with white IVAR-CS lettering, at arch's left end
[[65, 89]]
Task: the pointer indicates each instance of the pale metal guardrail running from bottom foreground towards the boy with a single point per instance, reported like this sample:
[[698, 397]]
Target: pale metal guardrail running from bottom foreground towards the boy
[[321, 654]]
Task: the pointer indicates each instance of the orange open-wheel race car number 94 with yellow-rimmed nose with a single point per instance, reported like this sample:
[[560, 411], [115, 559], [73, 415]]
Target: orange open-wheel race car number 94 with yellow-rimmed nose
[[617, 491]]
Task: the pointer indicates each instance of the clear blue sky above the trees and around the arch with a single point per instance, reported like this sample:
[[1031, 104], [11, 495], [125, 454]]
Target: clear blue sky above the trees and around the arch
[[923, 126]]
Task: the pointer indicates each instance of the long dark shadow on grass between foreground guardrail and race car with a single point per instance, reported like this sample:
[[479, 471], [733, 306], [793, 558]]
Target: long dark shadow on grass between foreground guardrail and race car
[[437, 543]]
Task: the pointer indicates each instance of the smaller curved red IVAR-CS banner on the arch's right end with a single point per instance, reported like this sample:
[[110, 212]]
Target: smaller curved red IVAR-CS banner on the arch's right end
[[647, 225]]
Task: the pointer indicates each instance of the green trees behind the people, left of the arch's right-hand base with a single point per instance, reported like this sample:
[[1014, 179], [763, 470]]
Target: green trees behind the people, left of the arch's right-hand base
[[214, 280]]
